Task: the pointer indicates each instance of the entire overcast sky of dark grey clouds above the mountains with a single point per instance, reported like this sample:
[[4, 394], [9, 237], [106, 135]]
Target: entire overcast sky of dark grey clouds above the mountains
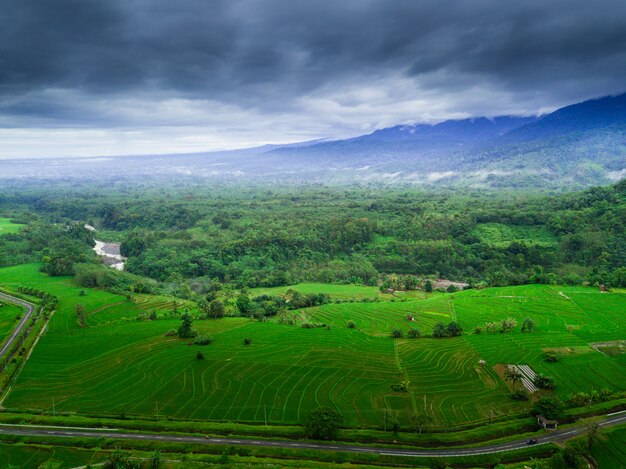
[[104, 77]]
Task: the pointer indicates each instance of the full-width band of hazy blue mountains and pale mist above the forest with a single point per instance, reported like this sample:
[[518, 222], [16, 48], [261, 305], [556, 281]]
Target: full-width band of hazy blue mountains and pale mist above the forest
[[573, 147]]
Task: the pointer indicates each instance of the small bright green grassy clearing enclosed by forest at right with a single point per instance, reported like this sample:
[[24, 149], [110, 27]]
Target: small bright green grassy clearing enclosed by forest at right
[[502, 235]]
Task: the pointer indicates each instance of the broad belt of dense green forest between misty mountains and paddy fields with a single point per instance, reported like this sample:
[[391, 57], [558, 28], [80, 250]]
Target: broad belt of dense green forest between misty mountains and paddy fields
[[263, 237]]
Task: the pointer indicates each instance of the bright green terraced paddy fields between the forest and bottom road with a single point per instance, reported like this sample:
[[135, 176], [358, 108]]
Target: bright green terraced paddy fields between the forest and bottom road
[[121, 365]]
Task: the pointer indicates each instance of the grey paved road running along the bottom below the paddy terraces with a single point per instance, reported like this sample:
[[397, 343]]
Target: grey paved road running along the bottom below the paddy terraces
[[73, 432]]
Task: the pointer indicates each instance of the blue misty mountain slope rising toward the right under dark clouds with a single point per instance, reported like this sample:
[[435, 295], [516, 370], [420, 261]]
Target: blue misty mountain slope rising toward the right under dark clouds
[[575, 146]]
